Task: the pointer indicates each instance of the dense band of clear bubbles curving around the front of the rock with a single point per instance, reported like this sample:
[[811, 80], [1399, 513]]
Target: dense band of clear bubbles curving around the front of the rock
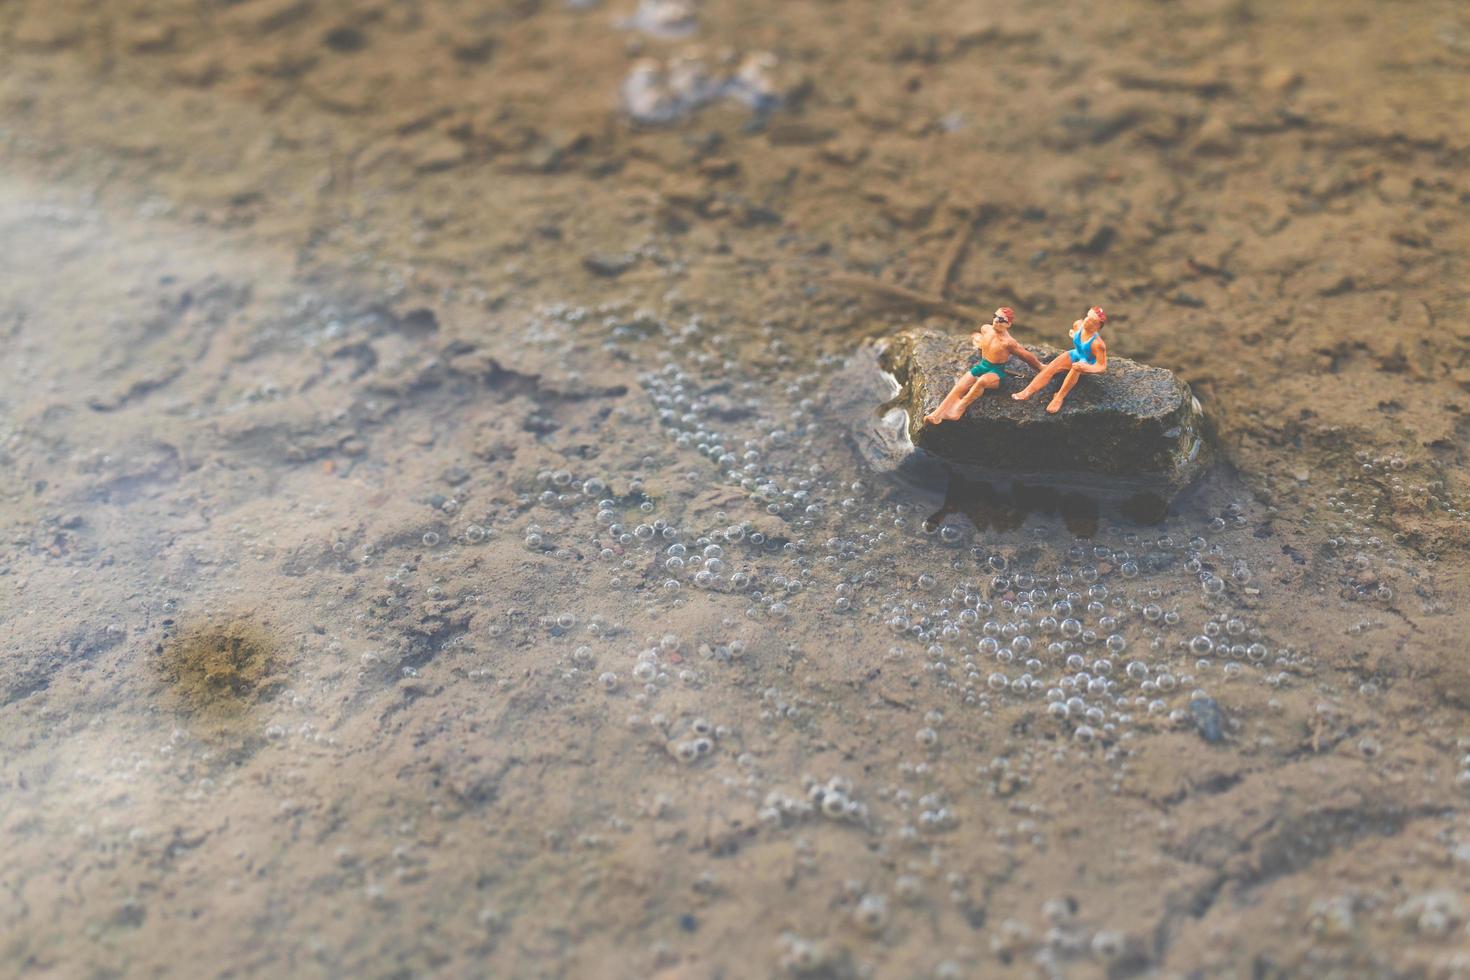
[[1096, 640]]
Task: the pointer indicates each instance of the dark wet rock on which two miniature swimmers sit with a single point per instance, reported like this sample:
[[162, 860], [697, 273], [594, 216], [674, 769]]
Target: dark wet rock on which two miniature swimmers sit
[[1134, 430]]
